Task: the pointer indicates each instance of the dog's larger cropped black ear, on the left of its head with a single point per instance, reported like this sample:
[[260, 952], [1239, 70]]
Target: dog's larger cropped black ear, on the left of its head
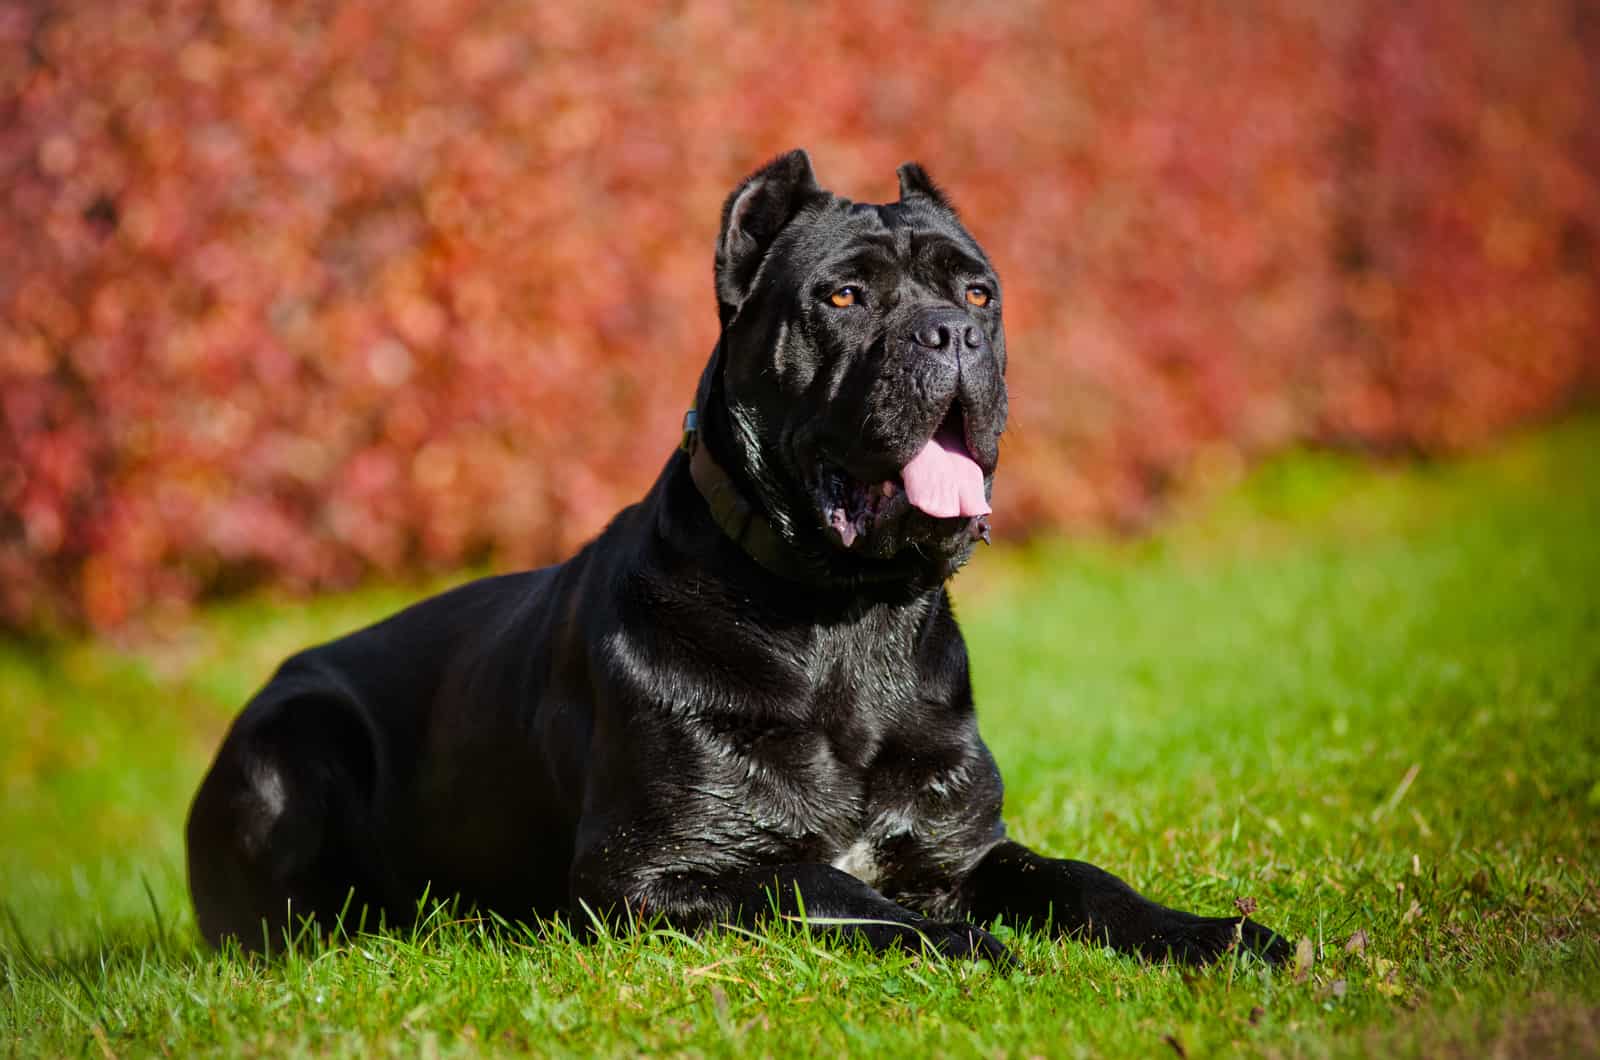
[[751, 220]]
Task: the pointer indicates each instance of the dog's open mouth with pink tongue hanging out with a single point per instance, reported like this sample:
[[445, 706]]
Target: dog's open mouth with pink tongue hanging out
[[942, 486]]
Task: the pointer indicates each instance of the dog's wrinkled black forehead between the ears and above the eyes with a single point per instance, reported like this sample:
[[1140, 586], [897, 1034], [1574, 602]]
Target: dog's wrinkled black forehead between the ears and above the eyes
[[847, 236]]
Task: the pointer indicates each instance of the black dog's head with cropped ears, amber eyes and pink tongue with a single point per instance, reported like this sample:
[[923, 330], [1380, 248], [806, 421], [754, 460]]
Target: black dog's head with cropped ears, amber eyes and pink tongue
[[860, 382]]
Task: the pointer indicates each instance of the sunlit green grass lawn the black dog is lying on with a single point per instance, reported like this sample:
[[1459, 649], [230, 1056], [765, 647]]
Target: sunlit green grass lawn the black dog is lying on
[[1367, 699]]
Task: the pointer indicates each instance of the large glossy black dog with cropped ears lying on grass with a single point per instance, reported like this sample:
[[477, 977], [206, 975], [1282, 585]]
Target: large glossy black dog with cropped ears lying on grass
[[746, 697]]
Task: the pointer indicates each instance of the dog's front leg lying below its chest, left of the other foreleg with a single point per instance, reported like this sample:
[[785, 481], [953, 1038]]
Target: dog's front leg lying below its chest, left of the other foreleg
[[820, 896]]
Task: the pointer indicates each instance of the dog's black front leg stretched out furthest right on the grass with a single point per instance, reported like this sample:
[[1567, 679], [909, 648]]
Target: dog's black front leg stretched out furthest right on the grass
[[1086, 902]]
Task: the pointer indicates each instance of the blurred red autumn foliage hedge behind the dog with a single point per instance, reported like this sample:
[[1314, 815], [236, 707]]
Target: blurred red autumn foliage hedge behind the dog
[[308, 291]]
